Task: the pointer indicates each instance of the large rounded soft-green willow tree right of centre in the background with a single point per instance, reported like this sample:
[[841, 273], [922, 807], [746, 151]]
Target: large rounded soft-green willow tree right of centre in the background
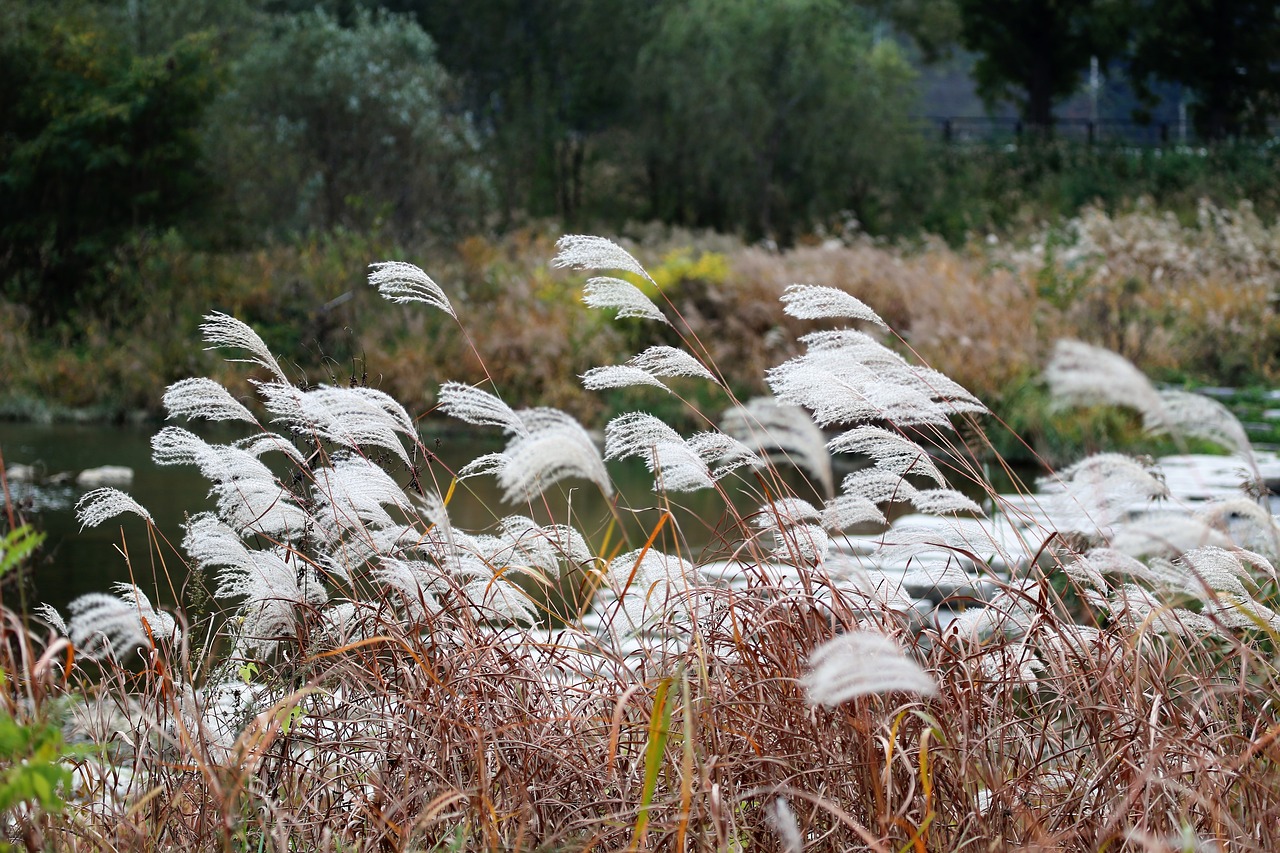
[[767, 117]]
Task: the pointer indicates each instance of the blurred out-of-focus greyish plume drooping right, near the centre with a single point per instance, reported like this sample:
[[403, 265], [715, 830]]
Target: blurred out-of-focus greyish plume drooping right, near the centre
[[783, 434]]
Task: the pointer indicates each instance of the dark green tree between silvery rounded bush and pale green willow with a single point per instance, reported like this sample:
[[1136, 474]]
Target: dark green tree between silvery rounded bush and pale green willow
[[546, 80]]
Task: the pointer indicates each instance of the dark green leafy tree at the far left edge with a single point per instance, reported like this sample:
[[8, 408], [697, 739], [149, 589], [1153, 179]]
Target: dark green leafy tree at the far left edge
[[97, 144]]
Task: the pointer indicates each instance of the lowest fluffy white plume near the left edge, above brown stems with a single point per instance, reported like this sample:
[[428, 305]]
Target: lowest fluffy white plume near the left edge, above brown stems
[[103, 624]]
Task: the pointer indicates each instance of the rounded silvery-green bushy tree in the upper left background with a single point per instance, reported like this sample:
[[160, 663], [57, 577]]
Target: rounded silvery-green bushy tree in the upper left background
[[328, 126]]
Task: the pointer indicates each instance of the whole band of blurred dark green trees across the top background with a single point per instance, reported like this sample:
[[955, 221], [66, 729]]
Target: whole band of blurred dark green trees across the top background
[[232, 124]]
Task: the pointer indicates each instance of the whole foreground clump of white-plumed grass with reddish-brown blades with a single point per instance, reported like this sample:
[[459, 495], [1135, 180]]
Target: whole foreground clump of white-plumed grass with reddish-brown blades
[[1028, 672]]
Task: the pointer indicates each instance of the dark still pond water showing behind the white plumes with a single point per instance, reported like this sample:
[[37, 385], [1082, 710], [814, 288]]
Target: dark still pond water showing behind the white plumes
[[76, 562]]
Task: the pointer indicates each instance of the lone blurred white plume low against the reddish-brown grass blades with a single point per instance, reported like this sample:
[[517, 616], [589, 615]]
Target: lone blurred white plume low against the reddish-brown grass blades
[[861, 664]]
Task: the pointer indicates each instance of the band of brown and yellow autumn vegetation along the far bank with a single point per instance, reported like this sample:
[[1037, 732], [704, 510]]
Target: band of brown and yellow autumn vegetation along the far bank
[[1188, 300]]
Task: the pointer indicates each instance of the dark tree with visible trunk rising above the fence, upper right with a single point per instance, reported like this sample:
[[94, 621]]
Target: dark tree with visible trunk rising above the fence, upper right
[[1034, 52]]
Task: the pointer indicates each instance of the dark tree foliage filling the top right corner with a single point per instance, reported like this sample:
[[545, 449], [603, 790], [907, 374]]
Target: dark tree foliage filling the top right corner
[[1223, 52]]
